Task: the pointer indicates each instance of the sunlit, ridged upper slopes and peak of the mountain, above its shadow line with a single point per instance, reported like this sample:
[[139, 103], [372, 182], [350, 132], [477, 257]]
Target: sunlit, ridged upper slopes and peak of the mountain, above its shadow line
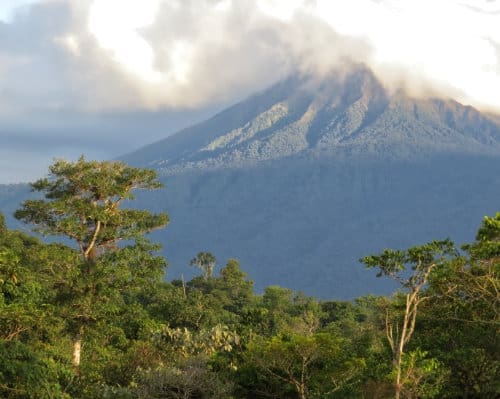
[[353, 114]]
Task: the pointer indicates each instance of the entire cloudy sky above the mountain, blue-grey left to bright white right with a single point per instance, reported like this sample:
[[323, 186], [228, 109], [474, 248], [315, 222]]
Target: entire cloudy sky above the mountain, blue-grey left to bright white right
[[104, 77]]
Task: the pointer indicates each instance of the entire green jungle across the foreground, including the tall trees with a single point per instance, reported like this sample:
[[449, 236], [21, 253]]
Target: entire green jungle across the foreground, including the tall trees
[[90, 315]]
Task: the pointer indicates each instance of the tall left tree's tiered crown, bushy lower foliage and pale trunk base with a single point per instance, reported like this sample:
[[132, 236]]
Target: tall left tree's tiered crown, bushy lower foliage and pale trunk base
[[82, 201]]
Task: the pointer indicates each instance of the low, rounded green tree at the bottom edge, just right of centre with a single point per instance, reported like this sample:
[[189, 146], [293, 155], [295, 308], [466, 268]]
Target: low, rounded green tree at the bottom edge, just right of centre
[[316, 366]]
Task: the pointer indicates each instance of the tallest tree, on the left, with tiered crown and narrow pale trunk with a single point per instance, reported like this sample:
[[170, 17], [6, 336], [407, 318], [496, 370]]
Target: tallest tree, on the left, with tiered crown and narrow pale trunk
[[82, 201]]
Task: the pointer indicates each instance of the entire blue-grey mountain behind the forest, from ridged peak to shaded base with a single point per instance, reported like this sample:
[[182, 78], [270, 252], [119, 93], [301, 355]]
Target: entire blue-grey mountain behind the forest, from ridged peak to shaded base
[[303, 179]]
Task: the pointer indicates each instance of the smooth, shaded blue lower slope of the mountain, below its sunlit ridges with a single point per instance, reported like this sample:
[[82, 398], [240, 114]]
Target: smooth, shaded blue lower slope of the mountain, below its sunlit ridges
[[305, 223]]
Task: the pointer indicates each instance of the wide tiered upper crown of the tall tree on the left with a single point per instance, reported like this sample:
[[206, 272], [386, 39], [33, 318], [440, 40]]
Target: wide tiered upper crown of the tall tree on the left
[[82, 202]]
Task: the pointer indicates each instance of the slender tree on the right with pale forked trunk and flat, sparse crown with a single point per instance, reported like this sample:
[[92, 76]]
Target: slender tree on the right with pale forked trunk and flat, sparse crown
[[421, 260]]
